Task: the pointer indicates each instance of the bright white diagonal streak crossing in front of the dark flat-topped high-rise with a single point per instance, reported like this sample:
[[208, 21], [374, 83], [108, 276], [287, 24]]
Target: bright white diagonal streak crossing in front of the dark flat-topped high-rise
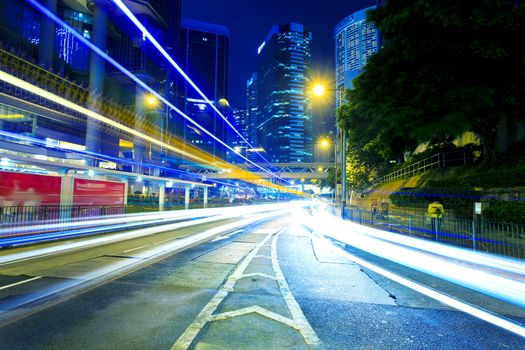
[[164, 53]]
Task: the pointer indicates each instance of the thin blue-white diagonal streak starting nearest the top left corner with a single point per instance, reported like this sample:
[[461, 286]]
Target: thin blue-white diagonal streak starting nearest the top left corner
[[146, 87]]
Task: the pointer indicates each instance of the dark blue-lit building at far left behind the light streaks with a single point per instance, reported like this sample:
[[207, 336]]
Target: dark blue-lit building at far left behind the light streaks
[[64, 65]]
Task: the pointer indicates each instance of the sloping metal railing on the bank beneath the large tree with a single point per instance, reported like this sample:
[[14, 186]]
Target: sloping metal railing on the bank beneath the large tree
[[440, 160]]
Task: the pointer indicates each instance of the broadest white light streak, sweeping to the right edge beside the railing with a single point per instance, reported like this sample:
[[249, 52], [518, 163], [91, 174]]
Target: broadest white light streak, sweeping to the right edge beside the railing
[[474, 274]]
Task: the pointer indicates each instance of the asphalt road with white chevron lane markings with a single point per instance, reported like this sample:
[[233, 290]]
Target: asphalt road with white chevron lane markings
[[269, 285]]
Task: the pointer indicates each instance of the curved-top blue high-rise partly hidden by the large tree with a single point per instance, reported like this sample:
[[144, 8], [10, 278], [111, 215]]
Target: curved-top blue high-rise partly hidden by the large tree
[[356, 39]]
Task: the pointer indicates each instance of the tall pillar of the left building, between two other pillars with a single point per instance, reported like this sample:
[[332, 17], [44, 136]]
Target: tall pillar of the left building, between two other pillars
[[96, 78]]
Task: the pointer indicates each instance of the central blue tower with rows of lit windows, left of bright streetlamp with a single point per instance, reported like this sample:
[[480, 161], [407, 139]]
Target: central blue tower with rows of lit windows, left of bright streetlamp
[[284, 112]]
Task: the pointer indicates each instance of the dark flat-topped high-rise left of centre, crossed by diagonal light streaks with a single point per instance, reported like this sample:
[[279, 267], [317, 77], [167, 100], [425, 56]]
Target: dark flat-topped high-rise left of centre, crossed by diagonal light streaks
[[206, 50]]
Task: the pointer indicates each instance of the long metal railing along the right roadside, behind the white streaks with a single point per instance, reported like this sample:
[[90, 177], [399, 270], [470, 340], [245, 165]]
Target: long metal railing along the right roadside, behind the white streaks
[[491, 237]]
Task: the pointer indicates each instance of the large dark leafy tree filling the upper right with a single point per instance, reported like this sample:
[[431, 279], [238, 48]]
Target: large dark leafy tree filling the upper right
[[446, 67]]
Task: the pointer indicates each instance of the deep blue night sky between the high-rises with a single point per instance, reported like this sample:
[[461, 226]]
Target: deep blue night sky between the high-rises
[[250, 20]]
